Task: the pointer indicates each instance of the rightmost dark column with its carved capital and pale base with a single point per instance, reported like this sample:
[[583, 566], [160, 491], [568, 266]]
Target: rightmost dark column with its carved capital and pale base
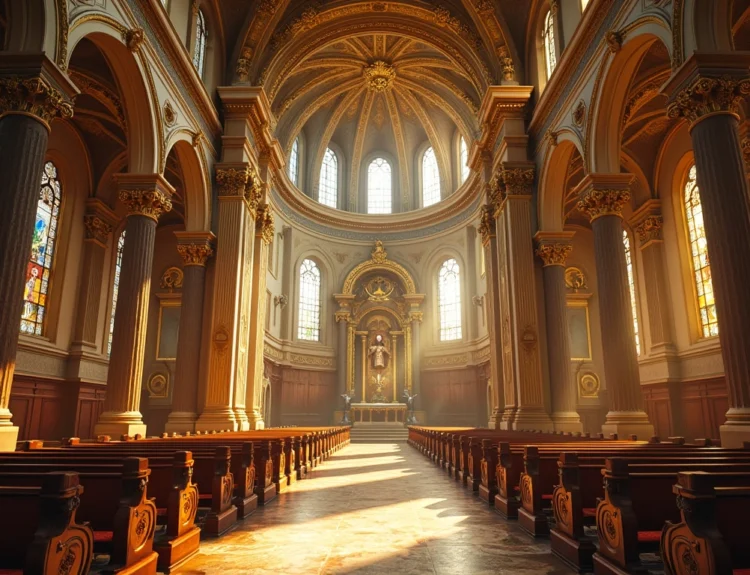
[[707, 91]]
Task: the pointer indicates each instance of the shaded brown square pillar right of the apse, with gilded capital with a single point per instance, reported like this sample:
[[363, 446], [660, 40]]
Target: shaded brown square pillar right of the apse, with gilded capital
[[515, 211]]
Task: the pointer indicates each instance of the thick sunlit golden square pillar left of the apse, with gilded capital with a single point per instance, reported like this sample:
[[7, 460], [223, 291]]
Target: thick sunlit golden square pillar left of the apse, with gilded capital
[[239, 192]]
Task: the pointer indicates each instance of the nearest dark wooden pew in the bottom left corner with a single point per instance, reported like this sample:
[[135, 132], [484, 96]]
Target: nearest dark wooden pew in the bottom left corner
[[39, 533]]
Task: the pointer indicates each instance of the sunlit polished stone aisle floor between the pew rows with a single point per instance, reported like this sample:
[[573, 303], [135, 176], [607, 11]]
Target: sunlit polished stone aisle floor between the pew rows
[[375, 508]]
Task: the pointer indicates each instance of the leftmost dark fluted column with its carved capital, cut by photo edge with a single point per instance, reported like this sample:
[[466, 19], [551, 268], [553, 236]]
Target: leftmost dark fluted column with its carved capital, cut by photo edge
[[29, 100]]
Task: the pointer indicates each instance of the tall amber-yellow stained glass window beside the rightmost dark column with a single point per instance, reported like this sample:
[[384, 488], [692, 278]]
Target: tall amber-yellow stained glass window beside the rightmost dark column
[[699, 257]]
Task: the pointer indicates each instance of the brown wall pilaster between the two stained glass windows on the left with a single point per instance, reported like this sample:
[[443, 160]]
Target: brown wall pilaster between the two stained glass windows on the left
[[98, 221]]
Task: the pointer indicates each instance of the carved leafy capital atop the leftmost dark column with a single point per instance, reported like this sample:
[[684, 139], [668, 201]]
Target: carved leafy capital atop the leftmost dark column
[[35, 97]]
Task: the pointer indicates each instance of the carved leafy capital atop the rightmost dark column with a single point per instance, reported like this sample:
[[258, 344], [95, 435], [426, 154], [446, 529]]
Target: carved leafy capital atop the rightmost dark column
[[709, 96]]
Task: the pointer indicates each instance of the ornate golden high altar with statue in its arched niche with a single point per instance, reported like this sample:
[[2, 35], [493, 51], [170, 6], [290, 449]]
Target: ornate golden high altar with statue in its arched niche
[[379, 318]]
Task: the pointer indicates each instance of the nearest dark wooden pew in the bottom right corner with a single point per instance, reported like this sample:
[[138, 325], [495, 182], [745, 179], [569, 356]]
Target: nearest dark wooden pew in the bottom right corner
[[712, 536]]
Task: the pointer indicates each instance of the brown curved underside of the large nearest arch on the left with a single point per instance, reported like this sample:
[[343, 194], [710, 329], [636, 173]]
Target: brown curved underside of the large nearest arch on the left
[[132, 77]]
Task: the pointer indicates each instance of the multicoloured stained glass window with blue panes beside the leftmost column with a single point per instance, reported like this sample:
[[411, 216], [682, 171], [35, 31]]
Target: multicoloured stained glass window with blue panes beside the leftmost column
[[39, 268]]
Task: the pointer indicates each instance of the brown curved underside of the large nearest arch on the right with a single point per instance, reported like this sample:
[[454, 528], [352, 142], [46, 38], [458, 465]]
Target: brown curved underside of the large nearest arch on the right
[[604, 129]]
